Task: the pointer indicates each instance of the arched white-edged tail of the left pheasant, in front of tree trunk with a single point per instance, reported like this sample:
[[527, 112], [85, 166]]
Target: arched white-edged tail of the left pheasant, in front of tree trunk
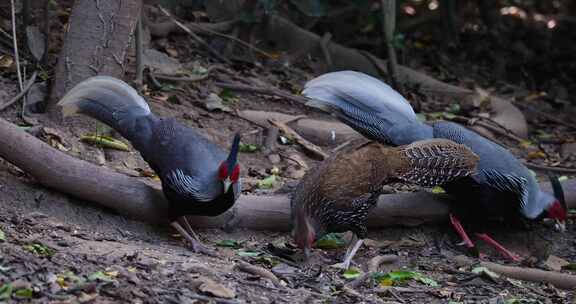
[[114, 103]]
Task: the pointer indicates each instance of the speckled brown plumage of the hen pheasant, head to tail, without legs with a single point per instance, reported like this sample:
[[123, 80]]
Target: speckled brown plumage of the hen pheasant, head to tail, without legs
[[338, 194]]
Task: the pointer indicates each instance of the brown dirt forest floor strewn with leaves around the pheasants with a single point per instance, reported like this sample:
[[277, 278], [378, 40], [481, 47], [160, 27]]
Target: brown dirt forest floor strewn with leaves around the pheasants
[[56, 249]]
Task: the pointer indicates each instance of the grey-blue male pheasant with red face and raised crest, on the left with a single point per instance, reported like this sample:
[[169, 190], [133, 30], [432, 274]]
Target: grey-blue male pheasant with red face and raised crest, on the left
[[198, 177]]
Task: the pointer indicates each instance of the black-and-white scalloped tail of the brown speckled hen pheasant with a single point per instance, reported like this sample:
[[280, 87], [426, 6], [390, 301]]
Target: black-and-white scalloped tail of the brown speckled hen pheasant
[[435, 161]]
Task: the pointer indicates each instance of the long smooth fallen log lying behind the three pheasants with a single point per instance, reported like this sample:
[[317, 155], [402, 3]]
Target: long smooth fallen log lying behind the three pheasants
[[129, 196]]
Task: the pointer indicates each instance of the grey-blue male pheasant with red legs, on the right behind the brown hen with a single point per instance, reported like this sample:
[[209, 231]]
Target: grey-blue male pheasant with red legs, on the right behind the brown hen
[[501, 187]]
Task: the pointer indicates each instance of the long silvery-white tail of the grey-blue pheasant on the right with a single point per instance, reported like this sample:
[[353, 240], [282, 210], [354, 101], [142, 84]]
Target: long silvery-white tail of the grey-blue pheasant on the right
[[368, 105]]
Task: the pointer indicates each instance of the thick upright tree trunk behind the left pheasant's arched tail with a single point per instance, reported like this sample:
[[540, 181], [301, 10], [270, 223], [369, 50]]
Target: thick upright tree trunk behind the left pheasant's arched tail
[[96, 43]]
